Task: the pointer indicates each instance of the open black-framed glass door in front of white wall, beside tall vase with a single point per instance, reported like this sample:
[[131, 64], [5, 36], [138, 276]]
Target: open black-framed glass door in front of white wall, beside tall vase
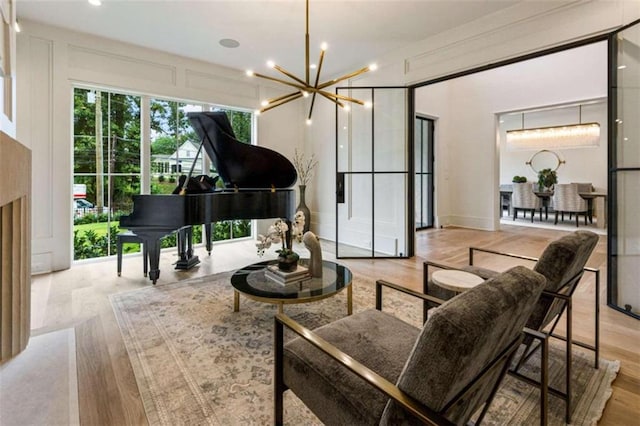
[[374, 184]]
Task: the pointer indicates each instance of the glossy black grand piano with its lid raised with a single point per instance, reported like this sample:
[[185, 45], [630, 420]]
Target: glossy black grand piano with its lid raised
[[256, 186]]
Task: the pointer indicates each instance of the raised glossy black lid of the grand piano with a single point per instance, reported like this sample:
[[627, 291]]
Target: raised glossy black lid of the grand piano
[[240, 165]]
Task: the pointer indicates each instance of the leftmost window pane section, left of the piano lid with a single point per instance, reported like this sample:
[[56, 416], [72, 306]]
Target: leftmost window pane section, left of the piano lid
[[106, 167]]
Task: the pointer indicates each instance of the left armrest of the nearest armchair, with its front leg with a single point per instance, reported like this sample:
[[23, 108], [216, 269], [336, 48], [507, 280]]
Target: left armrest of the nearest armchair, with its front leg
[[423, 413]]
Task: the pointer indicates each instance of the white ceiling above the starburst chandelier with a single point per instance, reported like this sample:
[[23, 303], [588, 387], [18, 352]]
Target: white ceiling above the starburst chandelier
[[358, 32]]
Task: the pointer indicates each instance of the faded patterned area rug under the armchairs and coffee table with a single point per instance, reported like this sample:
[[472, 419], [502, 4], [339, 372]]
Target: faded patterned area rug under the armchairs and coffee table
[[198, 362]]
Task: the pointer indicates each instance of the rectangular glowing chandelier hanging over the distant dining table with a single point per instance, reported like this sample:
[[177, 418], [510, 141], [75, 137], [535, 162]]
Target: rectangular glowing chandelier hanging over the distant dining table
[[569, 136]]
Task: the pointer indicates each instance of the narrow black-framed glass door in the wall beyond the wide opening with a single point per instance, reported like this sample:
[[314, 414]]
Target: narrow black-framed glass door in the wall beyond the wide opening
[[423, 171]]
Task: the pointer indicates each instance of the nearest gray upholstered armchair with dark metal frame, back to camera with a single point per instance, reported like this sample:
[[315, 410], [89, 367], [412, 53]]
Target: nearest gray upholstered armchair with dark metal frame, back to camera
[[373, 368]]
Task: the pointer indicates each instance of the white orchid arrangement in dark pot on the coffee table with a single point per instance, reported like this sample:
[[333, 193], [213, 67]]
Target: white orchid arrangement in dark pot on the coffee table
[[283, 231]]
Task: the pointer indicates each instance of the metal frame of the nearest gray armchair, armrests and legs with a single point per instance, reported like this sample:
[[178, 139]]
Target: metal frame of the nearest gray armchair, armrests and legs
[[423, 413]]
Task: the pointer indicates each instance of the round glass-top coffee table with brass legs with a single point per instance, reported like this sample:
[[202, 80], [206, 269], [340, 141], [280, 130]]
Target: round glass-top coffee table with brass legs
[[251, 282]]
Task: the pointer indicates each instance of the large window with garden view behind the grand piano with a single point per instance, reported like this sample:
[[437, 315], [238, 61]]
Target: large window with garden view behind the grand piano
[[108, 174]]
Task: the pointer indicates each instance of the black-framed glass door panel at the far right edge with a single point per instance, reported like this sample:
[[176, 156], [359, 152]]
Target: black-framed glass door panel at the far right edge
[[623, 288]]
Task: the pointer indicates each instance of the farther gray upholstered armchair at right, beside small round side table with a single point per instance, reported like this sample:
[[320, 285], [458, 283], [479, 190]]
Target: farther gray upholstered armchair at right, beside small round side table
[[563, 264]]
